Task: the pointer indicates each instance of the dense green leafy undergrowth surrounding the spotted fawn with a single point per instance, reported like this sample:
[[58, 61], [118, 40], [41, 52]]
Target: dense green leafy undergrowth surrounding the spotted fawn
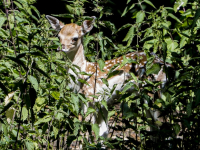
[[37, 107]]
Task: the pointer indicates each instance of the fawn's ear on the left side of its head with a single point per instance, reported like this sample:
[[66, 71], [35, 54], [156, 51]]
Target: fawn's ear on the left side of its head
[[55, 23]]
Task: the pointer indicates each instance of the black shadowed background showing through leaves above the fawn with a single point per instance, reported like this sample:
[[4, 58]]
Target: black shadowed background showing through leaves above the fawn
[[49, 7]]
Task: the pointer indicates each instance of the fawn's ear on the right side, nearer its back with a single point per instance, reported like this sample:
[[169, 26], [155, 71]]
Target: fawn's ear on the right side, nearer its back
[[88, 25]]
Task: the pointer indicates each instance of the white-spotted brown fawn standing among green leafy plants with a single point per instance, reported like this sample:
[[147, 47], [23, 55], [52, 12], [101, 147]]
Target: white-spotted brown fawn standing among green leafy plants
[[71, 40]]
